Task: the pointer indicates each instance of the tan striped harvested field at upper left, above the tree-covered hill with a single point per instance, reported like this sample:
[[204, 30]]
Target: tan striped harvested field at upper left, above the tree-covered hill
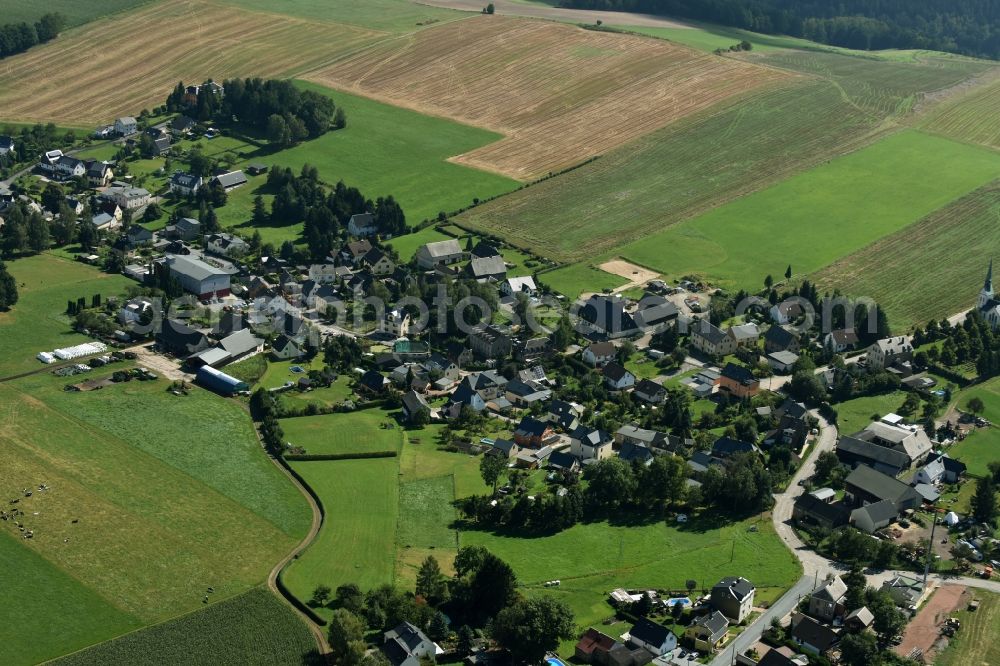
[[123, 64]]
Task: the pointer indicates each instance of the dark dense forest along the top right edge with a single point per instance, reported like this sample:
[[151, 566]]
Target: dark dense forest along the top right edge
[[970, 27]]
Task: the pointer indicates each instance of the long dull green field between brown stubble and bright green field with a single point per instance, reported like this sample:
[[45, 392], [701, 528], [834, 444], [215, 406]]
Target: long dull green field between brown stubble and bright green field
[[678, 172]]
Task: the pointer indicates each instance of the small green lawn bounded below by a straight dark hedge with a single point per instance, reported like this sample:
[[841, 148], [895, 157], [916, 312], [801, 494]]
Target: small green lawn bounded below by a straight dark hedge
[[353, 432]]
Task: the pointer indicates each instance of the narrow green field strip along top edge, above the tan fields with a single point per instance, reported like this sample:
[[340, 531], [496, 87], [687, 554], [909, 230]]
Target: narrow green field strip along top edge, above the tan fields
[[387, 15]]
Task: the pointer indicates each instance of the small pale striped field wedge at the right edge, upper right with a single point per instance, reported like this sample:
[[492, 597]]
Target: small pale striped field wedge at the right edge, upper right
[[973, 116]]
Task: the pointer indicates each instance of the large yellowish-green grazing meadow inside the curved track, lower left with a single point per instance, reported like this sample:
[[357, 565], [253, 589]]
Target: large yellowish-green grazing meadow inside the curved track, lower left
[[141, 506]]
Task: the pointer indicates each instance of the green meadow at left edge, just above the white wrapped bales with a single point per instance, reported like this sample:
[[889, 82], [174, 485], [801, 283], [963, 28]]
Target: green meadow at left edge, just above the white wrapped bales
[[37, 322]]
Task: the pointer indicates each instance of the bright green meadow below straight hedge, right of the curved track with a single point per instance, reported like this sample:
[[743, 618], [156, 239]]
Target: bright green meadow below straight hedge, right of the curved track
[[357, 541]]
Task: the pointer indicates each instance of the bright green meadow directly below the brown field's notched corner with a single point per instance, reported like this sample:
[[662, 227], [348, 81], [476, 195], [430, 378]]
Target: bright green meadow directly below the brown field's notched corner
[[384, 150]]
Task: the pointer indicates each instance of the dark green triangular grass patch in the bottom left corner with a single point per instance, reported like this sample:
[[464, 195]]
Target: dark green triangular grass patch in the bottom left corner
[[32, 588]]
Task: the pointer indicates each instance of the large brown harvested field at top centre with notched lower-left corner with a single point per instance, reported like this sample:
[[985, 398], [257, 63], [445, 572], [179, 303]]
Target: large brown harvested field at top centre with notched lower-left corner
[[559, 93]]
